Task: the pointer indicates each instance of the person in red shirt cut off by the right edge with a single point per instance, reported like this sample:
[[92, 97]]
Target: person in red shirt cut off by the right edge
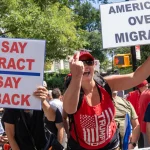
[[143, 102]]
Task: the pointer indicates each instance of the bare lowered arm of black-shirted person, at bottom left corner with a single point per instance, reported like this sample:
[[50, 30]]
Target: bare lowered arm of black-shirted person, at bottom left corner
[[10, 131]]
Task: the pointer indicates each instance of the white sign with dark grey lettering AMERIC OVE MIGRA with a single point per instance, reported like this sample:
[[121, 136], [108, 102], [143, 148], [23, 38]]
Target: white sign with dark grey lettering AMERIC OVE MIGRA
[[125, 23]]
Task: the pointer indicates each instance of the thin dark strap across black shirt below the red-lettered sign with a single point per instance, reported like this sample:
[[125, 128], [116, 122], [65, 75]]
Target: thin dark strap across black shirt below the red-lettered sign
[[30, 135]]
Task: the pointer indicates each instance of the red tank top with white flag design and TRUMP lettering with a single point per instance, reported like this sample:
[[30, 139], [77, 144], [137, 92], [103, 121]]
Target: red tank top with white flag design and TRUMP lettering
[[95, 125]]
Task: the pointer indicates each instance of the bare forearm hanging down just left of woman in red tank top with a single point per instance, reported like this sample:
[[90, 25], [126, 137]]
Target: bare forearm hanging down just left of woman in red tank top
[[60, 133]]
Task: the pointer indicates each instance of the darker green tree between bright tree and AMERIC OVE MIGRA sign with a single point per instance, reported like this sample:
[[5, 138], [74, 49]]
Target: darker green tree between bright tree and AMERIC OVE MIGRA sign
[[90, 21]]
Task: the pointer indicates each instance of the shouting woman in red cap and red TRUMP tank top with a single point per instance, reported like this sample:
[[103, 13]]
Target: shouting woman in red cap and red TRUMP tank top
[[93, 124]]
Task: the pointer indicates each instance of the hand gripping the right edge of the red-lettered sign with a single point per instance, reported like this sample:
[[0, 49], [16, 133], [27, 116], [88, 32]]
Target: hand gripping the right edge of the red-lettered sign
[[41, 93]]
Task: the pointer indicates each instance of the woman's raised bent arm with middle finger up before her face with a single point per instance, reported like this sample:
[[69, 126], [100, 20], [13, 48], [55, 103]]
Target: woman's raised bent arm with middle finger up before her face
[[71, 95]]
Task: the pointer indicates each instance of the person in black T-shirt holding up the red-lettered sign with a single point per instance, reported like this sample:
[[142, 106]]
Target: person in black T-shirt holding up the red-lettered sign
[[17, 133]]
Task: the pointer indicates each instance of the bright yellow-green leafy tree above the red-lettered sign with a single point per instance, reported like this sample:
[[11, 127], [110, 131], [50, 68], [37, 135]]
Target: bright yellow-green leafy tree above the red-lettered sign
[[54, 23]]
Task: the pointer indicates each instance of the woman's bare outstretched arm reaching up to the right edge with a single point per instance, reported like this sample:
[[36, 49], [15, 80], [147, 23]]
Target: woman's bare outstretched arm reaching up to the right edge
[[123, 82]]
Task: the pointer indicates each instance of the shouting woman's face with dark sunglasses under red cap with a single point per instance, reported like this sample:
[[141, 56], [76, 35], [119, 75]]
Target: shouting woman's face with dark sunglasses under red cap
[[88, 68]]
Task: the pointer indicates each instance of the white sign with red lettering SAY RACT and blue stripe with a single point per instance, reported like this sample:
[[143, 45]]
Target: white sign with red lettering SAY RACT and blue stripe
[[21, 72]]
